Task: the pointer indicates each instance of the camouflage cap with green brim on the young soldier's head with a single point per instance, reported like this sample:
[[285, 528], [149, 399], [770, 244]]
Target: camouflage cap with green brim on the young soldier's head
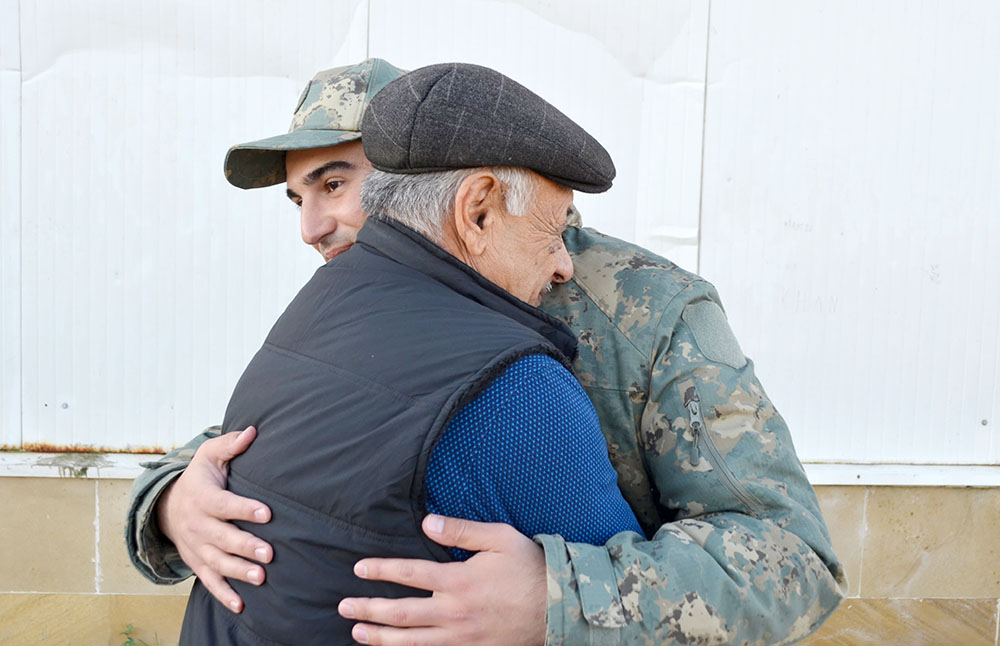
[[328, 113]]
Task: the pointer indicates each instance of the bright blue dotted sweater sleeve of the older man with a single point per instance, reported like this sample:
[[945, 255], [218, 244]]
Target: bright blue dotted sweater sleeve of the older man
[[529, 452]]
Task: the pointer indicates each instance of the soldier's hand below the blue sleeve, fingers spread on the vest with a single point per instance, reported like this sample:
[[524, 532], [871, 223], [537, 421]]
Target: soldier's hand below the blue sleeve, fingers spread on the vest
[[496, 597]]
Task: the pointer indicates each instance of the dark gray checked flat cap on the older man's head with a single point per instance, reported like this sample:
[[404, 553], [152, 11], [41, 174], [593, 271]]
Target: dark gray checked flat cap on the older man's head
[[457, 115]]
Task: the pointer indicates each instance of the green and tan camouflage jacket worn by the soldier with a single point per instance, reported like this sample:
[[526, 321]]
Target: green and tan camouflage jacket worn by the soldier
[[739, 552]]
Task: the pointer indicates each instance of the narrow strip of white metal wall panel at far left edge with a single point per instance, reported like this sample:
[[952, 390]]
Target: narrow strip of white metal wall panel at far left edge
[[10, 226]]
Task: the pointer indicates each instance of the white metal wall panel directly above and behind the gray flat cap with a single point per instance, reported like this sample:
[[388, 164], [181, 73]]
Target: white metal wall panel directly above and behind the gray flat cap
[[631, 73]]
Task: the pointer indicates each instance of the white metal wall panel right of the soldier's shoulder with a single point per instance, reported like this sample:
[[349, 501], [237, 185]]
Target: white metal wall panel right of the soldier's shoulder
[[852, 219]]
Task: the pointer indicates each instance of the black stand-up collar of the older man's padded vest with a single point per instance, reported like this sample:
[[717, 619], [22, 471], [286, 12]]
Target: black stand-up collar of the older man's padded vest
[[407, 247]]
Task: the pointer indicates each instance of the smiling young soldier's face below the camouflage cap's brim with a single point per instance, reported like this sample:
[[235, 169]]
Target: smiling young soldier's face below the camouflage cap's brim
[[325, 183]]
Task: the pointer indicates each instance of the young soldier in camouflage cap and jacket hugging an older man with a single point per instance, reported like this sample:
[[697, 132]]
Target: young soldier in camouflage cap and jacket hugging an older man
[[738, 551]]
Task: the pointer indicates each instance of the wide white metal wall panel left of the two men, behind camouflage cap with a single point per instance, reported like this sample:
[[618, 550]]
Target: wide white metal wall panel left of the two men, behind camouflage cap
[[148, 281]]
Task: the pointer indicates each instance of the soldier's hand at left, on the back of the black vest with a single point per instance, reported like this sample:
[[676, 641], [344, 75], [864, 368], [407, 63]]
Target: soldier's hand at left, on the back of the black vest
[[194, 512]]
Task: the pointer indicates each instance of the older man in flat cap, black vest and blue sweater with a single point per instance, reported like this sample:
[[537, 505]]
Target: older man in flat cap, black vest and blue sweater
[[412, 373]]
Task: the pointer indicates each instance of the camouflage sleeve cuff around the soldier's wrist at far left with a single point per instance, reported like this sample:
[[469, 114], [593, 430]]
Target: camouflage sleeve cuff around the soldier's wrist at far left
[[151, 552]]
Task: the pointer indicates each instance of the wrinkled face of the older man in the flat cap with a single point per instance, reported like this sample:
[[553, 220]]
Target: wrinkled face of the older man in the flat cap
[[526, 254]]
